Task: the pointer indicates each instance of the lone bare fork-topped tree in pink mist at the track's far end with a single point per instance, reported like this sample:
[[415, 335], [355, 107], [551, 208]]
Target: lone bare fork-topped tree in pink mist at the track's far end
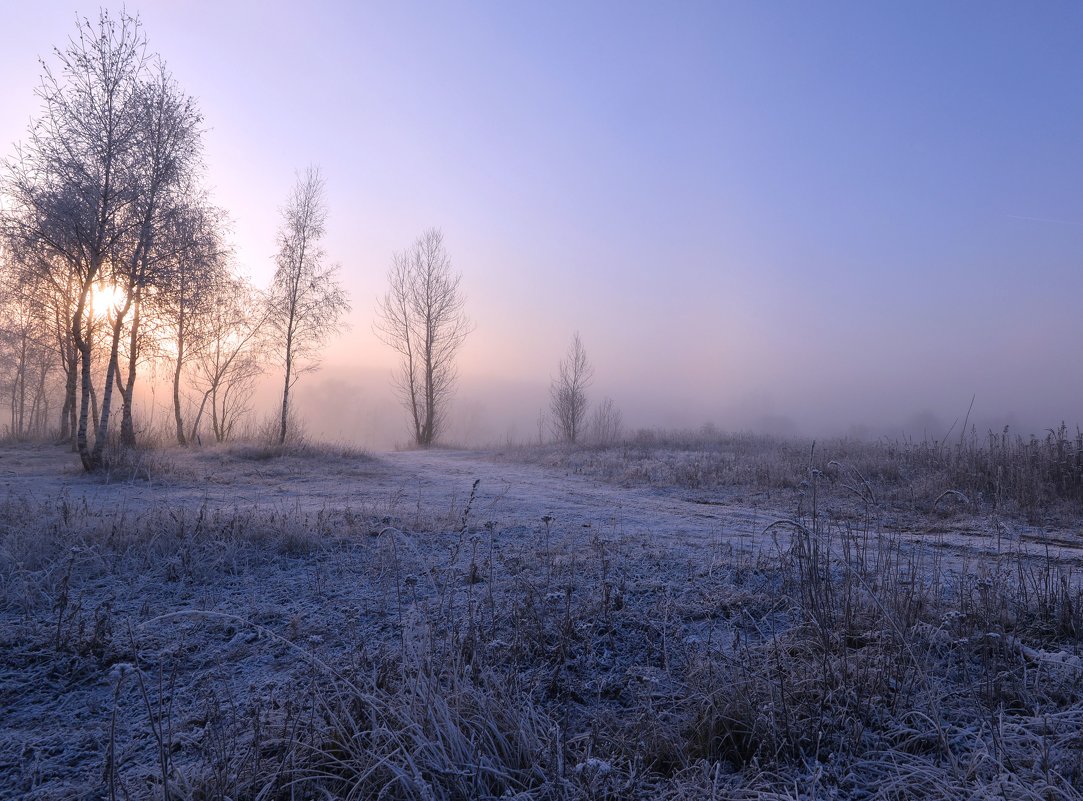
[[423, 319]]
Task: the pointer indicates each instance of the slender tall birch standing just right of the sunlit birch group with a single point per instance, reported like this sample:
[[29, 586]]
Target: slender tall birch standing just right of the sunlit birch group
[[307, 303]]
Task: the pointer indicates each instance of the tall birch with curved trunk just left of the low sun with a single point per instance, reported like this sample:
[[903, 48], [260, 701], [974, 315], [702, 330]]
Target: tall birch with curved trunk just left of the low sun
[[71, 185]]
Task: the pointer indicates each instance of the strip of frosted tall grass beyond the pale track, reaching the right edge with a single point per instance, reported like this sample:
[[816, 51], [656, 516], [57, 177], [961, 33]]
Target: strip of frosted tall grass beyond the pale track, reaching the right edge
[[1037, 478]]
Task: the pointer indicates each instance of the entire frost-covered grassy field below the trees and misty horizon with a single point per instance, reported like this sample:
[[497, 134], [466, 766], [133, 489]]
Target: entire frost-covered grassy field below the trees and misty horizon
[[678, 620]]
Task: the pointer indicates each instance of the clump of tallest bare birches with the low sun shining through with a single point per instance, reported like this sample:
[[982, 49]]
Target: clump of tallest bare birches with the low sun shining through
[[112, 157]]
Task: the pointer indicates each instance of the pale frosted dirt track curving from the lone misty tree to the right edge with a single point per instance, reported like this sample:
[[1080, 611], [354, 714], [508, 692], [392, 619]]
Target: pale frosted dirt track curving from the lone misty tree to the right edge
[[523, 494]]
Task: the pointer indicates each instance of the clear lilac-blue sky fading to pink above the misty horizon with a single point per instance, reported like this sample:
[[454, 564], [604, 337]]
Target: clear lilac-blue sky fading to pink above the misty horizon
[[810, 218]]
